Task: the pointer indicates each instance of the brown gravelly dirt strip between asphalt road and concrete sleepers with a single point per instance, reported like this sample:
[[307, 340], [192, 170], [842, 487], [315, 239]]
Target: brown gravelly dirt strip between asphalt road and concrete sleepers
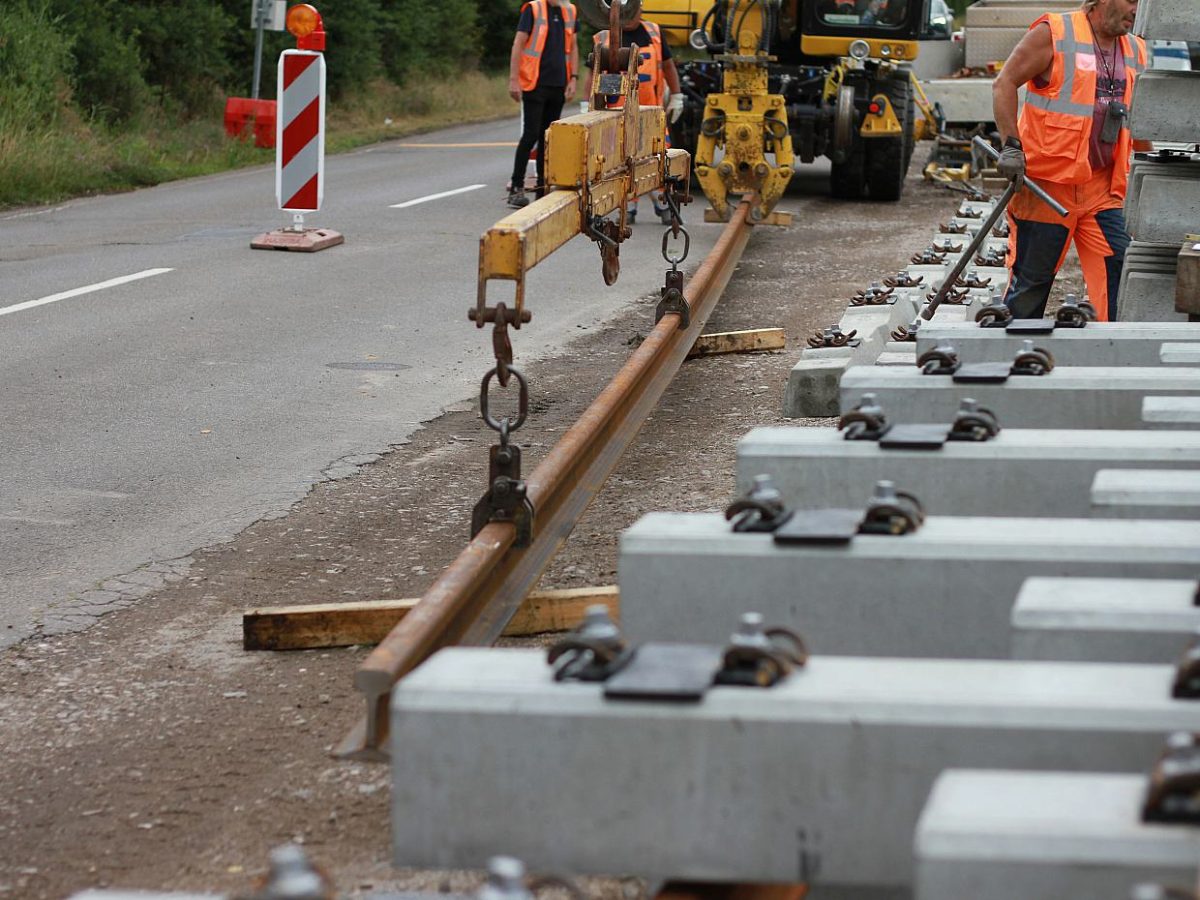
[[151, 752]]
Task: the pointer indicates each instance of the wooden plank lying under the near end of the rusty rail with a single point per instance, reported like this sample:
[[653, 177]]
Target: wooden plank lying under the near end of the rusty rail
[[319, 626]]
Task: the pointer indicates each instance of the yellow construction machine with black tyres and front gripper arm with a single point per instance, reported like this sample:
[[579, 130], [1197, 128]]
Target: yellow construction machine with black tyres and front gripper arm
[[778, 81]]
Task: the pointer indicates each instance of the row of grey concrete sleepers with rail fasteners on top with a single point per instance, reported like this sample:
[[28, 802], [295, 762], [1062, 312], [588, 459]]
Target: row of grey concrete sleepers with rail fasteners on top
[[994, 571]]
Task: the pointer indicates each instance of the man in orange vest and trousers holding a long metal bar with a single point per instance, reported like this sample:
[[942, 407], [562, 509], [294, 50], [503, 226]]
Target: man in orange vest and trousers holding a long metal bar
[[1073, 140]]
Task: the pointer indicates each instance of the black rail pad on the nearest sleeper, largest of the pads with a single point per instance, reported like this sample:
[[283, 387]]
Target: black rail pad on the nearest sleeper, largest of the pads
[[673, 673]]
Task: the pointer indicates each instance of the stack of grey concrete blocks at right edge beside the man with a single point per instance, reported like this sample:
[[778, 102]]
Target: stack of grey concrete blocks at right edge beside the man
[[1163, 203]]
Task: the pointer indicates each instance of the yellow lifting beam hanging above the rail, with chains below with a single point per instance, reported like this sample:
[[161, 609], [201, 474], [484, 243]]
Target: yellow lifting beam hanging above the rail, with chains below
[[596, 164]]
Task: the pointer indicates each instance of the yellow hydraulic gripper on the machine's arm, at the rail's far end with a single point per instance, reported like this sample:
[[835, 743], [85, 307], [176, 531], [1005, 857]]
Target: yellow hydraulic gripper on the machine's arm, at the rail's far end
[[748, 123]]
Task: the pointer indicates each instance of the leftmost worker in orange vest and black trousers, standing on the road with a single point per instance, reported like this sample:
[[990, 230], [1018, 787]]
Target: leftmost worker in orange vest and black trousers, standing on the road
[[542, 77]]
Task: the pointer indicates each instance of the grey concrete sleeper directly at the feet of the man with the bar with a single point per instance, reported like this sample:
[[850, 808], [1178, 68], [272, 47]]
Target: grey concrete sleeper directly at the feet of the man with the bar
[[1102, 344]]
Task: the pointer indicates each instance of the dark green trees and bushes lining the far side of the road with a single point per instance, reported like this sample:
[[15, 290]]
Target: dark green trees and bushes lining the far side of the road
[[117, 59]]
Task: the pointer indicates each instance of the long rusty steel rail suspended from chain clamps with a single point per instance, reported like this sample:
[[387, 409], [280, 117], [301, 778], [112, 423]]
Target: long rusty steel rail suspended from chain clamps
[[475, 598]]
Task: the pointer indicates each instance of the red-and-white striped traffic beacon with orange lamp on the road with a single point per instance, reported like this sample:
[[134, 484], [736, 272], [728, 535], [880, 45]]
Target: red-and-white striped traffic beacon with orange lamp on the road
[[301, 137]]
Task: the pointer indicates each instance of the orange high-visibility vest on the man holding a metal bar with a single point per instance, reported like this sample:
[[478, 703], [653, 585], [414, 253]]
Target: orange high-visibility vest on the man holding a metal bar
[[1057, 121]]
